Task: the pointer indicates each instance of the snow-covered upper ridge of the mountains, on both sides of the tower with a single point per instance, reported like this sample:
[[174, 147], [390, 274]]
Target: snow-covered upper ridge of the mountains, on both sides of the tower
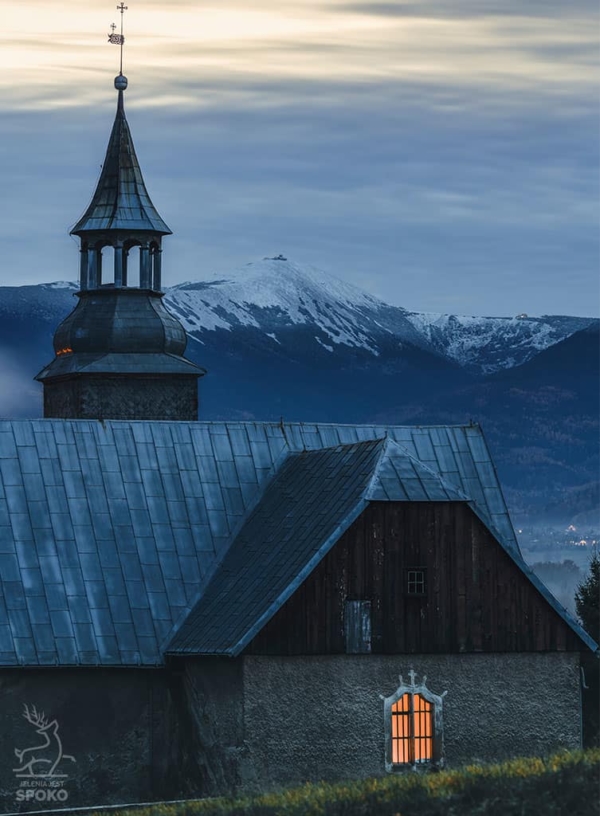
[[285, 307]]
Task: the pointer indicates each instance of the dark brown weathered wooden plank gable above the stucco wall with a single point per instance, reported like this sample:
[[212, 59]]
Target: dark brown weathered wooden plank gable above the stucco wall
[[477, 599]]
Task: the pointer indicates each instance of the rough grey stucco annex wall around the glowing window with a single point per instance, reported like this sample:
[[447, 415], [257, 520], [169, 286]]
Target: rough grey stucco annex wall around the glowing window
[[309, 718]]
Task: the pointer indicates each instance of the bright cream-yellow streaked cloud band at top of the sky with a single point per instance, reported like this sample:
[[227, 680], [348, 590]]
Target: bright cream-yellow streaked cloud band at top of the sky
[[528, 48]]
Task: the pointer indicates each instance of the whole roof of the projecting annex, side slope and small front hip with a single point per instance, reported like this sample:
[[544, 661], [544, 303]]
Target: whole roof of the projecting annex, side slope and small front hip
[[308, 505]]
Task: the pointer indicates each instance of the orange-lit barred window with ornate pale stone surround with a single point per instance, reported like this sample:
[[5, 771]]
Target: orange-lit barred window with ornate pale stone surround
[[413, 726]]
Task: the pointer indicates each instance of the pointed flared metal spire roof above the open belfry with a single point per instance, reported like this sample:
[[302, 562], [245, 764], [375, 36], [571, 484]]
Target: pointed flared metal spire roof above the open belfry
[[121, 201]]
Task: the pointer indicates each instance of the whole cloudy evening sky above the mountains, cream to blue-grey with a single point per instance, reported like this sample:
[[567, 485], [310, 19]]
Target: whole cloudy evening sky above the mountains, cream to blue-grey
[[441, 154]]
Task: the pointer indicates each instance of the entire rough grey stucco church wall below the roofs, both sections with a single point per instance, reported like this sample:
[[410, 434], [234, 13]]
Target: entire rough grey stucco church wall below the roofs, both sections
[[217, 725]]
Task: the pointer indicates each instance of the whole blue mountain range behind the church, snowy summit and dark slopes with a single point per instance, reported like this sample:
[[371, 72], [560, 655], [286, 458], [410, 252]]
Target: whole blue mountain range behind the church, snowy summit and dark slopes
[[283, 340]]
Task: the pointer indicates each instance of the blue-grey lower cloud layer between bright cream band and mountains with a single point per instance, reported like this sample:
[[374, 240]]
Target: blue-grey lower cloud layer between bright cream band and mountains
[[424, 201]]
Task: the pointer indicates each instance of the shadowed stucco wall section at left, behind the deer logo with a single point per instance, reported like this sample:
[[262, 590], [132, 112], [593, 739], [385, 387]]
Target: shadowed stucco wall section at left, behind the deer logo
[[118, 725]]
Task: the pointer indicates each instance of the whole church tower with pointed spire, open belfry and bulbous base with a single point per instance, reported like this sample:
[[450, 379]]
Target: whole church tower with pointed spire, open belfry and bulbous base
[[119, 354]]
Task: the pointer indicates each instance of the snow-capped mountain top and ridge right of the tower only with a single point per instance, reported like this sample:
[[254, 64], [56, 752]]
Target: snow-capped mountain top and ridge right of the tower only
[[274, 294]]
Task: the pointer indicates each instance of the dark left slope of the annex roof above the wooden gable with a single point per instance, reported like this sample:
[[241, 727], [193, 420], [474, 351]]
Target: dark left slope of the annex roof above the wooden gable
[[299, 517]]
